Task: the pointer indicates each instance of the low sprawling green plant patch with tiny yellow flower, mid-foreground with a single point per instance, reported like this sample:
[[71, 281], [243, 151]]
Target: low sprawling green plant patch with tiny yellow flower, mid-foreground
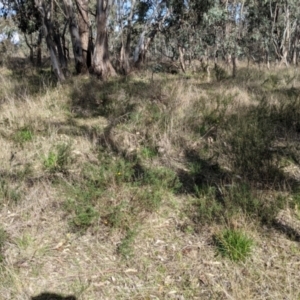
[[133, 189]]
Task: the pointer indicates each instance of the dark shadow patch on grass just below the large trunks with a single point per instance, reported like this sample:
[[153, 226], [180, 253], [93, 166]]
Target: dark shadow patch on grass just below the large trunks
[[112, 99]]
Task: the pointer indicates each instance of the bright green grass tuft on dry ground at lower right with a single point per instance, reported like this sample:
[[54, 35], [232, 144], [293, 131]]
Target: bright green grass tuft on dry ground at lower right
[[233, 244]]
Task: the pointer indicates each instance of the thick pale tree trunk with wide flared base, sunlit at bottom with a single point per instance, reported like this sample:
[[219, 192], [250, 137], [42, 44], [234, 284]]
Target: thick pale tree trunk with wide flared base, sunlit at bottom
[[101, 64]]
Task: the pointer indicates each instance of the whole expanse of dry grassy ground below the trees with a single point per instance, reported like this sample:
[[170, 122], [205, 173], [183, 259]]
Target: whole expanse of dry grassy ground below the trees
[[154, 186]]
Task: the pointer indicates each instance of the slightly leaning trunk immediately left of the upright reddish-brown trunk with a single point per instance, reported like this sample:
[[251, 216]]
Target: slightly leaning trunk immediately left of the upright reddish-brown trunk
[[80, 64]]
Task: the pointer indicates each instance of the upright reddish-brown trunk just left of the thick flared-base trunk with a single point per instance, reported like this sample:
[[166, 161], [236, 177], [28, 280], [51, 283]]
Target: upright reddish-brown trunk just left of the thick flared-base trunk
[[83, 26]]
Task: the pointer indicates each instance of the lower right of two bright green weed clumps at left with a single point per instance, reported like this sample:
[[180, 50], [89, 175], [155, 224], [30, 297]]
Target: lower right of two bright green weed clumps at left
[[58, 159]]
